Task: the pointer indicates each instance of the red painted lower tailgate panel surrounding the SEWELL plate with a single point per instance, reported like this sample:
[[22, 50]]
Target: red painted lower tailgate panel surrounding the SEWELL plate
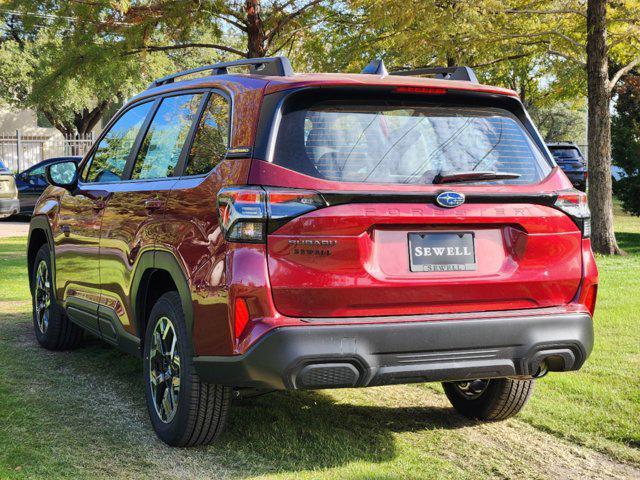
[[367, 272]]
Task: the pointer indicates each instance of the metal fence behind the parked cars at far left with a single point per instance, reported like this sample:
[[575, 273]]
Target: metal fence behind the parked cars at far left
[[19, 151]]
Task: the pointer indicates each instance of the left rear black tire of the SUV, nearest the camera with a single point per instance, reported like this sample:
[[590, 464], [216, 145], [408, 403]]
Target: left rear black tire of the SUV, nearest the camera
[[200, 412]]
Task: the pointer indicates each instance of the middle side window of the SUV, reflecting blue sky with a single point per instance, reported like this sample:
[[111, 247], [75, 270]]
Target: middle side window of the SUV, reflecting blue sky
[[163, 142]]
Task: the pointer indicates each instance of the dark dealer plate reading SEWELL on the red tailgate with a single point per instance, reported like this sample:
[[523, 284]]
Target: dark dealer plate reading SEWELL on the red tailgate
[[441, 251]]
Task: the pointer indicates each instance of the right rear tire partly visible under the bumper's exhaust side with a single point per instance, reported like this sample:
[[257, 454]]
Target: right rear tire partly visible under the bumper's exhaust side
[[500, 398]]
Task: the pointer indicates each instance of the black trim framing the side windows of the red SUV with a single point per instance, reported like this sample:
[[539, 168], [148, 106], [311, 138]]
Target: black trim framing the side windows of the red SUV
[[156, 100]]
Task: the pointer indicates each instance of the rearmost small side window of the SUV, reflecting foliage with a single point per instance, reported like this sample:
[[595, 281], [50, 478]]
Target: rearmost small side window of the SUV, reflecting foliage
[[212, 137]]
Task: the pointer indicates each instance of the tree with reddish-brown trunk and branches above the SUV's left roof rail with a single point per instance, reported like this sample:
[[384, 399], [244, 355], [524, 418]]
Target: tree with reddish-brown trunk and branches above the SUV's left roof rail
[[264, 27]]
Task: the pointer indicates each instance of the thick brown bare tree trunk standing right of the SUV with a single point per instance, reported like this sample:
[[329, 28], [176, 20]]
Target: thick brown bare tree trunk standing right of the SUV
[[603, 238]]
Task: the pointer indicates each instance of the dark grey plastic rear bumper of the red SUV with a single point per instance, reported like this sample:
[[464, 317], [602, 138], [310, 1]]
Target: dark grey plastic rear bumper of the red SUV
[[332, 356]]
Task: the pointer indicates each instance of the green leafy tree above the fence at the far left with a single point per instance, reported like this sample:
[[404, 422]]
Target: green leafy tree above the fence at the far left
[[65, 72]]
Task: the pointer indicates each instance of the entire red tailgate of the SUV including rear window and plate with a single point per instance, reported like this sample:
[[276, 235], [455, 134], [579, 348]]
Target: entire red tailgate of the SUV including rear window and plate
[[391, 239]]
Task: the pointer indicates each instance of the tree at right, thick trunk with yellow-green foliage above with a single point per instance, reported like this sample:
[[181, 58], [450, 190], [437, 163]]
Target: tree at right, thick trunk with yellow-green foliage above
[[588, 38]]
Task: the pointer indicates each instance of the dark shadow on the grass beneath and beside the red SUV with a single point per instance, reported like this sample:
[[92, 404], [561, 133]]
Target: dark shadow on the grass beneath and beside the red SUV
[[278, 432]]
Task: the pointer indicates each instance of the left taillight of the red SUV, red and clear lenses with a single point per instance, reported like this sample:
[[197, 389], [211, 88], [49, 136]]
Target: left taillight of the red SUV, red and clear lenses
[[248, 213]]
